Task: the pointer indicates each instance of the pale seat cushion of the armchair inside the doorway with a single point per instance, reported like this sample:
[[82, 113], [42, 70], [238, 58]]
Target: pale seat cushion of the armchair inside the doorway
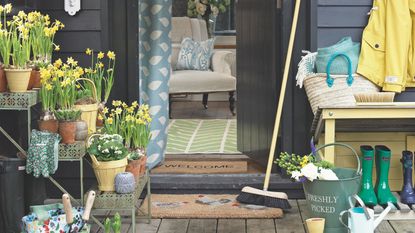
[[193, 81]]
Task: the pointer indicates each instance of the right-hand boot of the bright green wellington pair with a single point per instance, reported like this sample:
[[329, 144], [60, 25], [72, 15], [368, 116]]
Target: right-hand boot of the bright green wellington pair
[[384, 194]]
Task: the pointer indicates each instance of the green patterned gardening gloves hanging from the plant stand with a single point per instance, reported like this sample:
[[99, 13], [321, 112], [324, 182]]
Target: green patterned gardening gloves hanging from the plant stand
[[43, 153]]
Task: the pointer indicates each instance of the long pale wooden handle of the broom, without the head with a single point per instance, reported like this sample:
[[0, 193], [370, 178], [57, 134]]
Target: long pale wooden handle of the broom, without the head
[[282, 94]]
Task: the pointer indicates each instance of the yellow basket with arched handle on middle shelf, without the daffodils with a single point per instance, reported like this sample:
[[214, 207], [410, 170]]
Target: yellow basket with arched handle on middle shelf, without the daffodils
[[89, 111]]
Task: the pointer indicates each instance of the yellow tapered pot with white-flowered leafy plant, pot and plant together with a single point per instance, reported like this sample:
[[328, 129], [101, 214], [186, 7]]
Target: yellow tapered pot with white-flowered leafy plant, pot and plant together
[[109, 157]]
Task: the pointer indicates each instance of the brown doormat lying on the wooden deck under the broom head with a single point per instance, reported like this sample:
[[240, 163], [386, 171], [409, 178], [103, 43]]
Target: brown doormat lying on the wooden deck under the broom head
[[206, 206]]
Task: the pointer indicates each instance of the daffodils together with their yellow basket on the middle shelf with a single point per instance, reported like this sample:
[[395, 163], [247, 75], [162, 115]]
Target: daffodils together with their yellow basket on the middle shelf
[[101, 74]]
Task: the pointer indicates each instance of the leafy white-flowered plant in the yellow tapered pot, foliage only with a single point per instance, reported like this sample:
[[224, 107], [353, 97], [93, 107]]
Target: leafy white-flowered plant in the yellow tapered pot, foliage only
[[108, 147]]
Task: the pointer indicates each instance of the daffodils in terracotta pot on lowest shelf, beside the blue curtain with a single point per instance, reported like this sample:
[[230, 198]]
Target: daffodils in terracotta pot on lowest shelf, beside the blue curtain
[[133, 124]]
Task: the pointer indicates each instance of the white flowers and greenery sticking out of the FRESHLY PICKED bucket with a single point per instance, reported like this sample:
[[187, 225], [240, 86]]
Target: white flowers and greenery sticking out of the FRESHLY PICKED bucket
[[302, 168]]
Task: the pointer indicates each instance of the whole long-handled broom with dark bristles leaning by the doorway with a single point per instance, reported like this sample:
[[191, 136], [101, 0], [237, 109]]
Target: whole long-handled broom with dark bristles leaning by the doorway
[[264, 197]]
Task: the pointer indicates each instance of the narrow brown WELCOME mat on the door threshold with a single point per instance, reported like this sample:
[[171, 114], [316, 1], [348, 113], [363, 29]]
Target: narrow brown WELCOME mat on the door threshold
[[201, 167]]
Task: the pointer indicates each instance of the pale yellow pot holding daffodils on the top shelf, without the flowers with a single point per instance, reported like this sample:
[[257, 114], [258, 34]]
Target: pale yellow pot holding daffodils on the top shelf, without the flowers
[[18, 79]]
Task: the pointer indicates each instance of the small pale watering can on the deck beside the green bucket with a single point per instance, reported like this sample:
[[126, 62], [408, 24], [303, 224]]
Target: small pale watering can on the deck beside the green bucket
[[362, 219]]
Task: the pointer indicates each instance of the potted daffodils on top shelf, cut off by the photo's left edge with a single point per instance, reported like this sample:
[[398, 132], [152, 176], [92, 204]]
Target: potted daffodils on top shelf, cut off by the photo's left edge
[[5, 44]]
